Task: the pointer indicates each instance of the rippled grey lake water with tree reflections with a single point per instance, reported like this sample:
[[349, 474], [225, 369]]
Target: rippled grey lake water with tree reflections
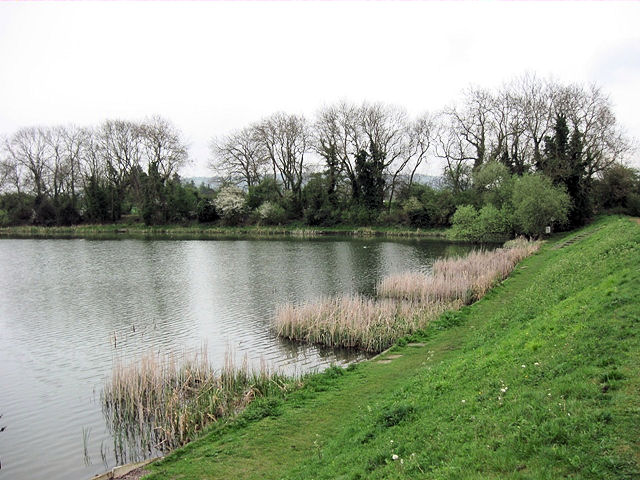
[[69, 308]]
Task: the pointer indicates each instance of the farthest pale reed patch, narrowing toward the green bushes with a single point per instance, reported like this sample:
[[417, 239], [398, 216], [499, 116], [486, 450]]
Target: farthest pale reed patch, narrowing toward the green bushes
[[463, 278]]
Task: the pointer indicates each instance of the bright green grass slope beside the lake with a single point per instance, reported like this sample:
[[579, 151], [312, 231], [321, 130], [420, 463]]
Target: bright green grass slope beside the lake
[[540, 379]]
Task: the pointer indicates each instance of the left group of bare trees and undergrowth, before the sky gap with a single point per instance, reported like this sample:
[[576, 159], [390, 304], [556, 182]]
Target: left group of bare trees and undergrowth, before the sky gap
[[65, 175]]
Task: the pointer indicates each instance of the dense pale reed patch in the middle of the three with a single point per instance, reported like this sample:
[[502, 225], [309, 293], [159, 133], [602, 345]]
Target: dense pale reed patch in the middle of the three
[[355, 321]]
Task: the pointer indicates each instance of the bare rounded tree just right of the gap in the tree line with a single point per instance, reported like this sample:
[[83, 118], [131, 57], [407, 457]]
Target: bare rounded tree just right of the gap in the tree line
[[240, 156]]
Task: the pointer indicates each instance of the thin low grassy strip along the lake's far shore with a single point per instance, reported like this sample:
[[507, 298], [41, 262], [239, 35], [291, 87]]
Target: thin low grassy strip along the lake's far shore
[[137, 230]]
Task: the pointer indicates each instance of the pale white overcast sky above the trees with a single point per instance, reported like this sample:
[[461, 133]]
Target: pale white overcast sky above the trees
[[211, 67]]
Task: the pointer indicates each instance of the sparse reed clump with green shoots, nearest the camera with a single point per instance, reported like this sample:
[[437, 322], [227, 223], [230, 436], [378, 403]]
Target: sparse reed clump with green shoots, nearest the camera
[[164, 401]]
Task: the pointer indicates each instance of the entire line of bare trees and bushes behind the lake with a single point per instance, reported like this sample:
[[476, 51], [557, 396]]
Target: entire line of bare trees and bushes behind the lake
[[351, 163]]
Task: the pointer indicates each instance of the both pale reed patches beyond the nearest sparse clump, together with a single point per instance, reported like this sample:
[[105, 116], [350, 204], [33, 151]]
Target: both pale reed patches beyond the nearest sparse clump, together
[[407, 302]]
